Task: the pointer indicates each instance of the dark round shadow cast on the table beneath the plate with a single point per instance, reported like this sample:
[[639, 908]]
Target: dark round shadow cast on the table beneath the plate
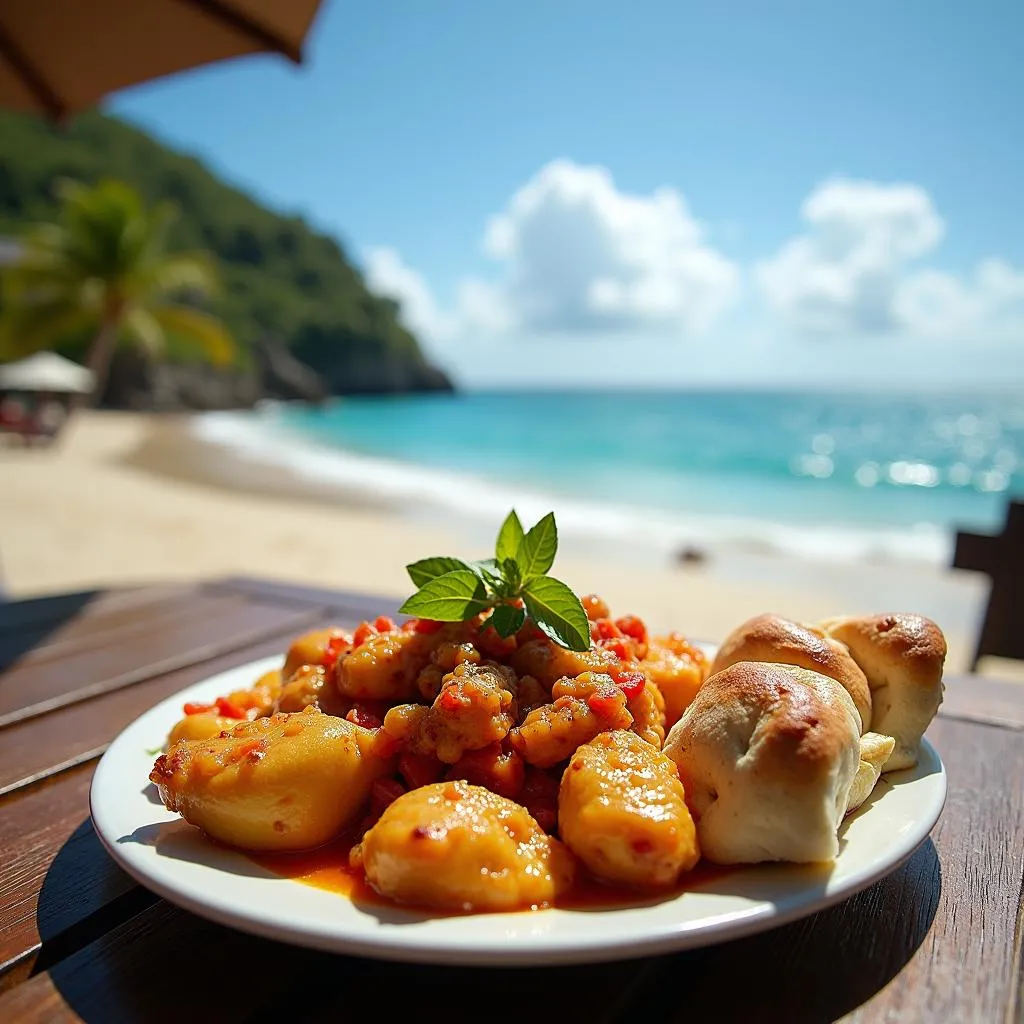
[[114, 952]]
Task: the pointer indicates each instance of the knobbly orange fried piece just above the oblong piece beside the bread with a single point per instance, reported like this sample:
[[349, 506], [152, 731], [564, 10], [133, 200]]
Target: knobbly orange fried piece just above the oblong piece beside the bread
[[583, 708]]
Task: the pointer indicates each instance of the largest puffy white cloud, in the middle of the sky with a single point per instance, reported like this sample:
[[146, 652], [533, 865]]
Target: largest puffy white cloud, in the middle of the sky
[[578, 255]]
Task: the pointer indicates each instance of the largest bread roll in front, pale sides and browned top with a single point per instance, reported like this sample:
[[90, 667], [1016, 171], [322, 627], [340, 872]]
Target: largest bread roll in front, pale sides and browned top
[[767, 755]]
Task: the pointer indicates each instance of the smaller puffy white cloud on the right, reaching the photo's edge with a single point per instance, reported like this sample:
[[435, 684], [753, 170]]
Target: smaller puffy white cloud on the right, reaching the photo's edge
[[852, 275]]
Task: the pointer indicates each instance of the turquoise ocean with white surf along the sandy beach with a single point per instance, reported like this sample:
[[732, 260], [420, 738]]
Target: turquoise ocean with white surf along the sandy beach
[[836, 477]]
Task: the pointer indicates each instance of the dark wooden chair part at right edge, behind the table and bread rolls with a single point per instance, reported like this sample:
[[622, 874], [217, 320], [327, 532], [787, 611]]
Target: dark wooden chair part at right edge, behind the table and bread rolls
[[1000, 557]]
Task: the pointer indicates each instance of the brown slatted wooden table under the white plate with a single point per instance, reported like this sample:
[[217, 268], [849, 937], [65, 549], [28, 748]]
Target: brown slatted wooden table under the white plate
[[938, 941]]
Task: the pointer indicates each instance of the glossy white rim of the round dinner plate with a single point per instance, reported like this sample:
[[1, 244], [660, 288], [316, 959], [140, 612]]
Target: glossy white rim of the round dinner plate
[[388, 946]]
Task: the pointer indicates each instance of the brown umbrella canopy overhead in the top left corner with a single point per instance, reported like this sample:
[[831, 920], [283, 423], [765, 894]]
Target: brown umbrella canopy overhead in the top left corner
[[60, 57]]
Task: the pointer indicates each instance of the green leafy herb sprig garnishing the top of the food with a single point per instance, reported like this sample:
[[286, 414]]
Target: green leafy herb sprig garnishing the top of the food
[[515, 584]]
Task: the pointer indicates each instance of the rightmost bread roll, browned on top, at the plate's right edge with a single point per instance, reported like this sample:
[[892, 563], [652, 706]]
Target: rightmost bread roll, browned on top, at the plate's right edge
[[903, 658]]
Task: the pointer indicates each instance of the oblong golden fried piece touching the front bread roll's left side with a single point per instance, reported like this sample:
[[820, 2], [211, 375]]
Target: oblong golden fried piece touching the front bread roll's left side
[[622, 813]]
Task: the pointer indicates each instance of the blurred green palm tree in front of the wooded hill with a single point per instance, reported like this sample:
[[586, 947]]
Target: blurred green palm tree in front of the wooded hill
[[105, 267]]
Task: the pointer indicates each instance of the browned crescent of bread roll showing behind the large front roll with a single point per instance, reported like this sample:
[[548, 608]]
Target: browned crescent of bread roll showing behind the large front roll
[[772, 638]]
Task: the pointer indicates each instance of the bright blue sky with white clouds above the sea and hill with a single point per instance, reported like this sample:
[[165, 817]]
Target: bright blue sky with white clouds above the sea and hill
[[841, 180]]
